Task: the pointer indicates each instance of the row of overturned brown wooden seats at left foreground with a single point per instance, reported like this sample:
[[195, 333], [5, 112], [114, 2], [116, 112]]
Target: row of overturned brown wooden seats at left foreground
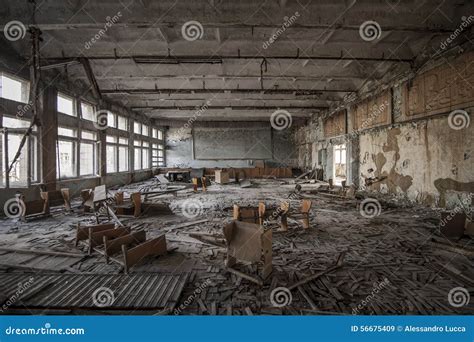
[[109, 240]]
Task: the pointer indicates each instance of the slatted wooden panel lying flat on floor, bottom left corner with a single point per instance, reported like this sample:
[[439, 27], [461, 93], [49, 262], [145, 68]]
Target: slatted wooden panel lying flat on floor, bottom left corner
[[97, 292]]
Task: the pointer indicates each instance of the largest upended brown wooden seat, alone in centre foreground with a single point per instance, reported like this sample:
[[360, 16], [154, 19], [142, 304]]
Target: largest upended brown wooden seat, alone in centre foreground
[[251, 243]]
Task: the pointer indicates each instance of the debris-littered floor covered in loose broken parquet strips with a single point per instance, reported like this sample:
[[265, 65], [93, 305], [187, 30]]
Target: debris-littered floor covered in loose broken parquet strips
[[391, 266]]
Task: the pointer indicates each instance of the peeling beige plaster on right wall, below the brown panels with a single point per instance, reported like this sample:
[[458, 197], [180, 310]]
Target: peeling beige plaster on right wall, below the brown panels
[[424, 161]]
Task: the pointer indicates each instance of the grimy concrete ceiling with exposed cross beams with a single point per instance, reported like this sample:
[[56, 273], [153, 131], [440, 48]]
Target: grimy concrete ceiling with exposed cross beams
[[144, 62]]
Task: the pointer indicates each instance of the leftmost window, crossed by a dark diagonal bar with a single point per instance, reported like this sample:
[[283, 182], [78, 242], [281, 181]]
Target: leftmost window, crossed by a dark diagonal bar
[[25, 169]]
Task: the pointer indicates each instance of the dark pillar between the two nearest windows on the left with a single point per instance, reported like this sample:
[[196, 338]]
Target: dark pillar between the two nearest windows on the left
[[48, 135]]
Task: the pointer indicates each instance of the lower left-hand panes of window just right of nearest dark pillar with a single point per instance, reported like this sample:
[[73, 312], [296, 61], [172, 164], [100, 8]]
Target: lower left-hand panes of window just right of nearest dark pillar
[[66, 153]]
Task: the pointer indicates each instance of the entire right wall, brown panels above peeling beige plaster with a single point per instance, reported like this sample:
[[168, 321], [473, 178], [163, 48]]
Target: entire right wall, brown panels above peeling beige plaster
[[405, 138]]
